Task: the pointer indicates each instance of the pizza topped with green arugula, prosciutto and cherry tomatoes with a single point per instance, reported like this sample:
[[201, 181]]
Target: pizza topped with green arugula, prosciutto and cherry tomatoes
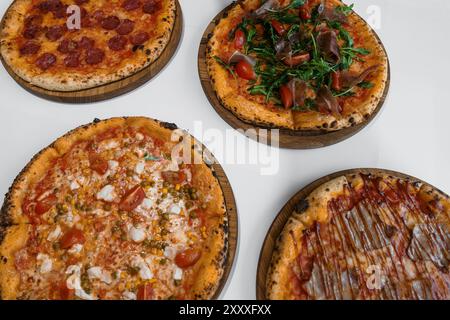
[[297, 64]]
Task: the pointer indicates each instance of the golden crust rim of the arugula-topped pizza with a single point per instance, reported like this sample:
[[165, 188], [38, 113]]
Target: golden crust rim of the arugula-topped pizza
[[255, 113]]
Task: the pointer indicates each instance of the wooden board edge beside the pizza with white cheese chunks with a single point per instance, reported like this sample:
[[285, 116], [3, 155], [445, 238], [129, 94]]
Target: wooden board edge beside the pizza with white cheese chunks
[[230, 204]]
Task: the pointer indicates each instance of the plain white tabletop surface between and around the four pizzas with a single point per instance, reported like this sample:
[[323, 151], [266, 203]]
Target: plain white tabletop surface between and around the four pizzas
[[410, 135]]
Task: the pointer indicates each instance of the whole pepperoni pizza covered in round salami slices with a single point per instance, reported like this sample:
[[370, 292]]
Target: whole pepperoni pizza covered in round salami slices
[[114, 40]]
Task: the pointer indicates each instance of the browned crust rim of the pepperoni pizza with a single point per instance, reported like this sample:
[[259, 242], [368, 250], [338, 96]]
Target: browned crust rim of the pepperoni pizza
[[74, 81]]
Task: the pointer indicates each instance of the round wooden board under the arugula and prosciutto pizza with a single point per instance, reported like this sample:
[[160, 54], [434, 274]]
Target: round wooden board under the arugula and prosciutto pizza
[[290, 139]]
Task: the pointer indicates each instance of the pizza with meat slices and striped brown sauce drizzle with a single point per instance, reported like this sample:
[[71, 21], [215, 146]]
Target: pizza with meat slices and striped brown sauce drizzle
[[367, 235]]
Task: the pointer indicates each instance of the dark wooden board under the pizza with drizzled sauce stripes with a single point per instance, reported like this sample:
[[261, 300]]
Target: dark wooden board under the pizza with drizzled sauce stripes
[[278, 224]]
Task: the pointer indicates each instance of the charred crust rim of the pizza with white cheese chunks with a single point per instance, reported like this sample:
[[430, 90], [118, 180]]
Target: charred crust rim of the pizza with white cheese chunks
[[14, 224]]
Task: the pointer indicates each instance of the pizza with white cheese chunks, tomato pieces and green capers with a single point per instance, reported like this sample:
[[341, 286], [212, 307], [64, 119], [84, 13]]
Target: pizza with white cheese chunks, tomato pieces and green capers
[[105, 213]]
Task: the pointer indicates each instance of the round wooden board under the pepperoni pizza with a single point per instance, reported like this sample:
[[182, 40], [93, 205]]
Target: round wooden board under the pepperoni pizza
[[113, 89]]
